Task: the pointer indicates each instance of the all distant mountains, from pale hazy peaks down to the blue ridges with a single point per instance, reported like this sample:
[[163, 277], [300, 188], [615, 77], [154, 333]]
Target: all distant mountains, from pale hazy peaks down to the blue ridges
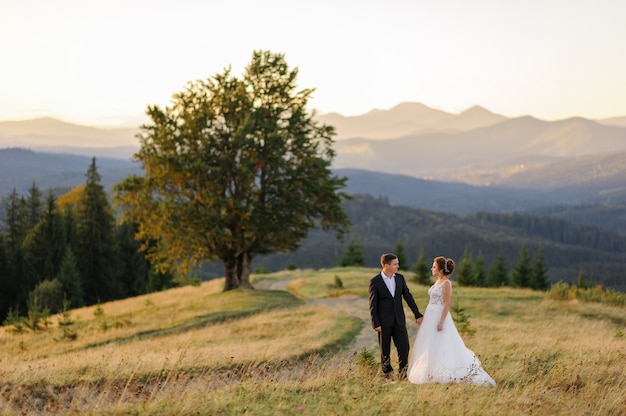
[[412, 154]]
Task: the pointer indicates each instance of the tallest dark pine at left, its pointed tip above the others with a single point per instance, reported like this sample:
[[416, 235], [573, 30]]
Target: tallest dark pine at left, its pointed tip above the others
[[96, 241]]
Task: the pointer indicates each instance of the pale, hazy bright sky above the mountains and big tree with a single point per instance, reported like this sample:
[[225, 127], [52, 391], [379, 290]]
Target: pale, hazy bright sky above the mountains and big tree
[[103, 62]]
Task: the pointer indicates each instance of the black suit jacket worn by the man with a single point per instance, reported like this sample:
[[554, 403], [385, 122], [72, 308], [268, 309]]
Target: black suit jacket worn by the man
[[386, 309]]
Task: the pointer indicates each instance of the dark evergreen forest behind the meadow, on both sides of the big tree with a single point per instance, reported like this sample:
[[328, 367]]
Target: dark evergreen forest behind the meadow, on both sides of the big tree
[[66, 250]]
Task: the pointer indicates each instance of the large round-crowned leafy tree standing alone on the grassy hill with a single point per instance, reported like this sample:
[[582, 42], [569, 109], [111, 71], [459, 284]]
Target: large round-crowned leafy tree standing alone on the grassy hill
[[233, 168]]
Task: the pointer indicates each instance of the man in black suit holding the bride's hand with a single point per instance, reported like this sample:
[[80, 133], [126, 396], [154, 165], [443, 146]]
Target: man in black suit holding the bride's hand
[[386, 290]]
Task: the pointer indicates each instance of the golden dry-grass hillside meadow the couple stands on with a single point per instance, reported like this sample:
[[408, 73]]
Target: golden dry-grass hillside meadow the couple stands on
[[301, 344]]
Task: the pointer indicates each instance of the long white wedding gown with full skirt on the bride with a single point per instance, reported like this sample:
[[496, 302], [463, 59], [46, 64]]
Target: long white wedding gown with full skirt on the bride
[[441, 356]]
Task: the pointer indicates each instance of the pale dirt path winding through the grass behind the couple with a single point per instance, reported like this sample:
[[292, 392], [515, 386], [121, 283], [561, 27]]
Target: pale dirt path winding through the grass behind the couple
[[352, 305]]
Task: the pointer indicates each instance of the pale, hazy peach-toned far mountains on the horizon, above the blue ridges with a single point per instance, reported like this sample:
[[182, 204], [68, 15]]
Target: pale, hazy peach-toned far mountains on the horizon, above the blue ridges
[[476, 146]]
